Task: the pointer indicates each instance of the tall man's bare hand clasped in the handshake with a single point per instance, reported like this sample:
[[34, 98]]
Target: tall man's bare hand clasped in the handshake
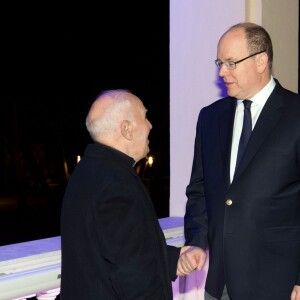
[[191, 258]]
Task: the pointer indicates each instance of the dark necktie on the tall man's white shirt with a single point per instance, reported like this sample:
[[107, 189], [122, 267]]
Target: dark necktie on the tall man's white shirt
[[246, 131]]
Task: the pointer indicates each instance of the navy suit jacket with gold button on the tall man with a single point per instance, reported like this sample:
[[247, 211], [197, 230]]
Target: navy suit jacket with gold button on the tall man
[[254, 244]]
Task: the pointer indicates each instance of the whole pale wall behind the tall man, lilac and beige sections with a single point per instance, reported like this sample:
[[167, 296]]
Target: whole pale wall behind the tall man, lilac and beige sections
[[195, 28]]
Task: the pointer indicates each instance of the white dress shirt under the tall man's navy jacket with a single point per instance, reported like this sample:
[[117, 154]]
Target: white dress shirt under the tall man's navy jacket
[[258, 102]]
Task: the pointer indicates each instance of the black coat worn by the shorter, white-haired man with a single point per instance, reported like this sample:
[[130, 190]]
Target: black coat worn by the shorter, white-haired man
[[112, 244]]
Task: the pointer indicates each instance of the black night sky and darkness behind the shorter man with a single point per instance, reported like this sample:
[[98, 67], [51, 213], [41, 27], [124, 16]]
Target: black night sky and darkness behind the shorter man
[[55, 60]]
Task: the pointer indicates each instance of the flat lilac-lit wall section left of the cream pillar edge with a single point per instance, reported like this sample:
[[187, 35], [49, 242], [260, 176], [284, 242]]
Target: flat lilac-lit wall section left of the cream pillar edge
[[195, 28]]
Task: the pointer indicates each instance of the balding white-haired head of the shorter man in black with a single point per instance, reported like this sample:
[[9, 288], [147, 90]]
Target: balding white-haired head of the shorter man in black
[[117, 119]]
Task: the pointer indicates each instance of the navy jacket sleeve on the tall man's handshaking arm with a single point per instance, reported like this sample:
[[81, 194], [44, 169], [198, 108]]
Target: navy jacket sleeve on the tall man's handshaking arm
[[195, 219]]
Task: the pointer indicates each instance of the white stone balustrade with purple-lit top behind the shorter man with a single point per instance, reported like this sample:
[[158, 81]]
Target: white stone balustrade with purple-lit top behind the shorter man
[[32, 269]]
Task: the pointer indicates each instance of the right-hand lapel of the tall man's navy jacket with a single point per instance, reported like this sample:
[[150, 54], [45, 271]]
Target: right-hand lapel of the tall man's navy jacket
[[267, 120]]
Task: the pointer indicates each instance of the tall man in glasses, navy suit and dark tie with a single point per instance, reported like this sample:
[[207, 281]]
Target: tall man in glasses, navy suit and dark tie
[[247, 214]]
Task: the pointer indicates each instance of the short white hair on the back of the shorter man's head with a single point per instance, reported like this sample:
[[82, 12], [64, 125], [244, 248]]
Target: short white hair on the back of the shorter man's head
[[107, 120]]
